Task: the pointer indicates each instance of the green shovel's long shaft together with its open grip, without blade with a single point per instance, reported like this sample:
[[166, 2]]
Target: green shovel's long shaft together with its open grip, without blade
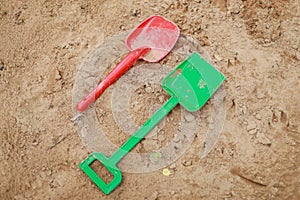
[[110, 162]]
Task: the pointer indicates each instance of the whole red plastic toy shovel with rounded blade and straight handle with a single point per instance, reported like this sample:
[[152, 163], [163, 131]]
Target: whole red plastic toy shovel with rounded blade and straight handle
[[151, 41]]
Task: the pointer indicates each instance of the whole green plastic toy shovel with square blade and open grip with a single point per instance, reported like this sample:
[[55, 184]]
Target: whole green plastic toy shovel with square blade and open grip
[[190, 84]]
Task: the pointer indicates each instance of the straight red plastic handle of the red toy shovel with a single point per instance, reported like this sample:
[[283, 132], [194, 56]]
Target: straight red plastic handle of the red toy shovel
[[114, 75]]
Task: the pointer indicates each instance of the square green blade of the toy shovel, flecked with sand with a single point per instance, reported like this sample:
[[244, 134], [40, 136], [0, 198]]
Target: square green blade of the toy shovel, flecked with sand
[[193, 82]]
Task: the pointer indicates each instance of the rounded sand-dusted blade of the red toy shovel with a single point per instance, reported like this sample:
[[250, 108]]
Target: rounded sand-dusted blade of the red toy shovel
[[157, 33]]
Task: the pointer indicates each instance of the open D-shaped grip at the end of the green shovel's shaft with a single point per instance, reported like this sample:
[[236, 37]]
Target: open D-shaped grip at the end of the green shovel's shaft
[[111, 167]]
